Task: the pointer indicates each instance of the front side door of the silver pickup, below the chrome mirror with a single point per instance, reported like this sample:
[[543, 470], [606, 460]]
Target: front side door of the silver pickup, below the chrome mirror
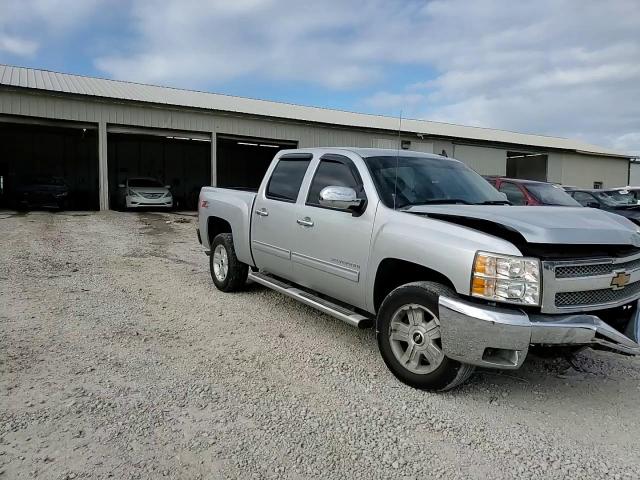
[[331, 246]]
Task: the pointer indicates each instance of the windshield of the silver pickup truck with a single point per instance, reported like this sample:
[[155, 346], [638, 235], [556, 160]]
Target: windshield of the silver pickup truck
[[424, 180]]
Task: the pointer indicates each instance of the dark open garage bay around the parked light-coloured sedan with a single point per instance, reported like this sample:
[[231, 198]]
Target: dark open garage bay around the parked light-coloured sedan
[[182, 162]]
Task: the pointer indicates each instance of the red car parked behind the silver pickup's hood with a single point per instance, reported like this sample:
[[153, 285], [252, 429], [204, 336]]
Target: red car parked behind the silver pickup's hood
[[531, 192]]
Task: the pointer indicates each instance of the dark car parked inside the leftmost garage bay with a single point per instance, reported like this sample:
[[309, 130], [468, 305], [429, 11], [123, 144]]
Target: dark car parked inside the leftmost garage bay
[[41, 191]]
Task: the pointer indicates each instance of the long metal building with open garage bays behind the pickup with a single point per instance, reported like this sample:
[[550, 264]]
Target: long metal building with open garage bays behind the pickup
[[95, 132]]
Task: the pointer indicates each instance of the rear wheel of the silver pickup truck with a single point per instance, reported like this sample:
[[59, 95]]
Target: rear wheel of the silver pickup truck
[[227, 272]]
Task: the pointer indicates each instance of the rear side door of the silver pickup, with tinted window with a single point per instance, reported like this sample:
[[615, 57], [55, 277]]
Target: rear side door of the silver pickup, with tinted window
[[274, 215]]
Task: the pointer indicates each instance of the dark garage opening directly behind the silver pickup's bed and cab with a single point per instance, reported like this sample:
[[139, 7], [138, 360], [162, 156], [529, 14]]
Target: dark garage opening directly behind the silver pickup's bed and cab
[[243, 161]]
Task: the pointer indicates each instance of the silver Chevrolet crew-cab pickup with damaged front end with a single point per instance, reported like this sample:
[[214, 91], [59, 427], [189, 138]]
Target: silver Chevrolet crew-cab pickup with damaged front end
[[422, 247]]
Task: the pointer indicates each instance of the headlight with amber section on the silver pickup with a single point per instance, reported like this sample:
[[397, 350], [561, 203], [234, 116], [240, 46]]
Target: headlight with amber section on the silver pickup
[[505, 278]]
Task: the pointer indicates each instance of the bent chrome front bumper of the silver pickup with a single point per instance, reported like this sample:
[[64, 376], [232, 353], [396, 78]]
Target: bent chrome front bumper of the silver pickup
[[499, 337]]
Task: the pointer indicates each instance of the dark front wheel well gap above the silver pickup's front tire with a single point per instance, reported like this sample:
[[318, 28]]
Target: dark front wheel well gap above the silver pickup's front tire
[[393, 272]]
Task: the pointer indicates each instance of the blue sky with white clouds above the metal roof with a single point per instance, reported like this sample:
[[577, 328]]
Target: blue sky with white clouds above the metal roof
[[567, 68]]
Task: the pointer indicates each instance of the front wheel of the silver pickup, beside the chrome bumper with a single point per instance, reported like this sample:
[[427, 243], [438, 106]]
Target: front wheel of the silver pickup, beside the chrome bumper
[[408, 334]]
